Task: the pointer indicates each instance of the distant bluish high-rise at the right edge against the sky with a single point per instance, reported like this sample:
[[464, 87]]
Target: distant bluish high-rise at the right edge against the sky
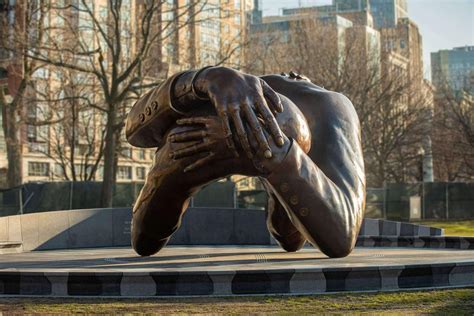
[[454, 67]]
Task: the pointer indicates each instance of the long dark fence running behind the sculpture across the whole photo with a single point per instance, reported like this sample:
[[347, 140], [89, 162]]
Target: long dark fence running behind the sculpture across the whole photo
[[404, 201]]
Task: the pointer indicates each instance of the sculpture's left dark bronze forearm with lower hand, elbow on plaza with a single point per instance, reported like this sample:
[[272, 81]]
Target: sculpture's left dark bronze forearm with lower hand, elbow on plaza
[[164, 197]]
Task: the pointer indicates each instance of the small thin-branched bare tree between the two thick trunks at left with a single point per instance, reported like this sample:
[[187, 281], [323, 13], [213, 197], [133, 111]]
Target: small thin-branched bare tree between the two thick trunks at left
[[75, 142]]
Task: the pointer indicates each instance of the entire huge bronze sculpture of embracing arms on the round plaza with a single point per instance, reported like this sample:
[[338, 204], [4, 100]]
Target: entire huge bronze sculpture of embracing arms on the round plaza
[[301, 140]]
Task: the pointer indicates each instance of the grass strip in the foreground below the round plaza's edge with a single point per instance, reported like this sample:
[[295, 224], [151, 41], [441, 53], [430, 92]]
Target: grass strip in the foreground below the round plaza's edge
[[445, 302]]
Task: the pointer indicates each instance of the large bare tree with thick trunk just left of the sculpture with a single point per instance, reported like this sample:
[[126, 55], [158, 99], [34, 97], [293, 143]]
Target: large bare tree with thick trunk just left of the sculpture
[[103, 44]]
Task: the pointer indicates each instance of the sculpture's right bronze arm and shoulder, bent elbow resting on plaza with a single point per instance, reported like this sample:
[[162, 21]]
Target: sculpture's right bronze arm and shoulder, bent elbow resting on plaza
[[323, 191]]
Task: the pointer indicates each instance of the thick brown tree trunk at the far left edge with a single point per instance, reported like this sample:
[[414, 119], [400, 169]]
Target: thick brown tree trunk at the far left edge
[[11, 131]]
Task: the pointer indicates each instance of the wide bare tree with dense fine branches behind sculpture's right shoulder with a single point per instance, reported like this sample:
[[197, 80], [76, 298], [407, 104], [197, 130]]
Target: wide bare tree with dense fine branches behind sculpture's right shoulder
[[392, 109]]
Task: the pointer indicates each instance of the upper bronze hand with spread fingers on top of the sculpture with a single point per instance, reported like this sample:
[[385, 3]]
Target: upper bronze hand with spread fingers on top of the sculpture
[[243, 98]]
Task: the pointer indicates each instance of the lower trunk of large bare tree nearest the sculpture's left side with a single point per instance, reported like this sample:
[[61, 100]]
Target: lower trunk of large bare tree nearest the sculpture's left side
[[110, 161]]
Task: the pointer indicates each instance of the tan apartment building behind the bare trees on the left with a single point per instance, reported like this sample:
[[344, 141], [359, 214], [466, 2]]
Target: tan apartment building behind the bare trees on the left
[[193, 34]]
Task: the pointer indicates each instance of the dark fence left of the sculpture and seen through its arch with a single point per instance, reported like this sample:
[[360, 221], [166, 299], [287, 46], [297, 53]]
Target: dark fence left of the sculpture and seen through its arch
[[52, 196]]
